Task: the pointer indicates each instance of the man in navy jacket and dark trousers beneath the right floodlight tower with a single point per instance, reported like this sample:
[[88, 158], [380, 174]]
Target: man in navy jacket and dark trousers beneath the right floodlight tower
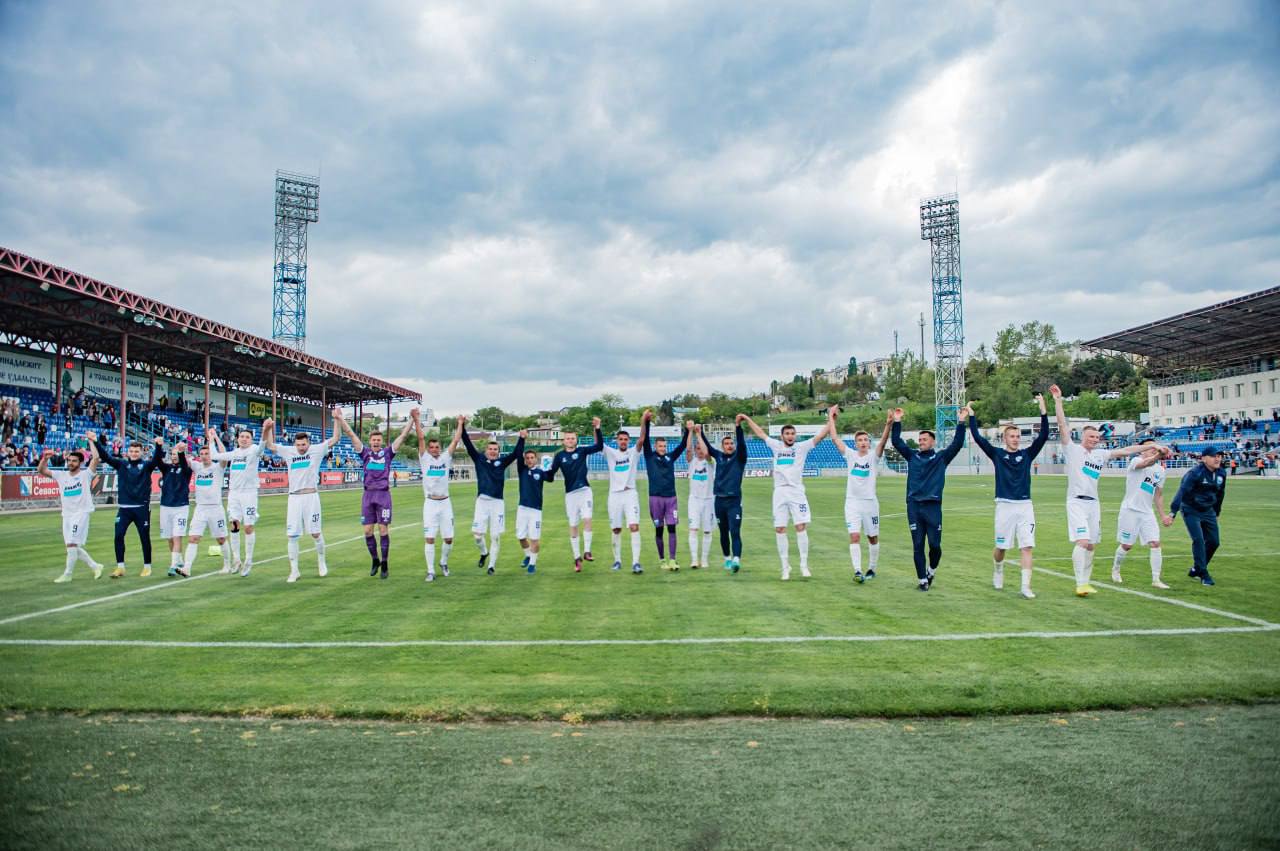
[[926, 478]]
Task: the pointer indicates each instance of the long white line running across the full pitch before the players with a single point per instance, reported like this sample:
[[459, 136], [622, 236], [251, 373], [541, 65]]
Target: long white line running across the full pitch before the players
[[628, 643]]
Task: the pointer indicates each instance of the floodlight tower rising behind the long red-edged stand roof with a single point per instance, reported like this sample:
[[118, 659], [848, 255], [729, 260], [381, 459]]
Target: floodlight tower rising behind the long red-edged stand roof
[[298, 203]]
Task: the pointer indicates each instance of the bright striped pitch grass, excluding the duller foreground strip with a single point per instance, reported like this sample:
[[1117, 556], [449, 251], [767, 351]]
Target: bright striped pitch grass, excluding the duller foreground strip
[[828, 679]]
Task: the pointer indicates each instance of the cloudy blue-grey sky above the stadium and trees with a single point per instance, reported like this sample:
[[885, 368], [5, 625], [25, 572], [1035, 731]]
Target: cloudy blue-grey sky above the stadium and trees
[[529, 204]]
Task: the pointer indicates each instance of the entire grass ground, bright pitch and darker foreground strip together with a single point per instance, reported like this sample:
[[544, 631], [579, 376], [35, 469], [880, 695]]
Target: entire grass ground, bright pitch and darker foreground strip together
[[764, 713]]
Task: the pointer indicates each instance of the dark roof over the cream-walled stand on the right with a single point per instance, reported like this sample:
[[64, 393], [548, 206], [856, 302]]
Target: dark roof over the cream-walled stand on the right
[[1233, 333]]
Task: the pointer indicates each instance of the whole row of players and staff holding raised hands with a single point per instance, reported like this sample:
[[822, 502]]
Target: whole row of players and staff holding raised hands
[[715, 497]]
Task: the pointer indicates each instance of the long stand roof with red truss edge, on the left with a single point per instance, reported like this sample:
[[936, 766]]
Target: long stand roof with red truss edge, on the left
[[52, 309]]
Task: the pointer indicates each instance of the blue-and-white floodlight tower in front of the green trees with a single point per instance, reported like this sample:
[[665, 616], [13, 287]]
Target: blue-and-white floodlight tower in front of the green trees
[[940, 225]]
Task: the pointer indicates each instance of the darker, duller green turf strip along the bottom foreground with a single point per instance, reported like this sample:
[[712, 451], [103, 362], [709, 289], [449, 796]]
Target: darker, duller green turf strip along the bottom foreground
[[1182, 777]]
